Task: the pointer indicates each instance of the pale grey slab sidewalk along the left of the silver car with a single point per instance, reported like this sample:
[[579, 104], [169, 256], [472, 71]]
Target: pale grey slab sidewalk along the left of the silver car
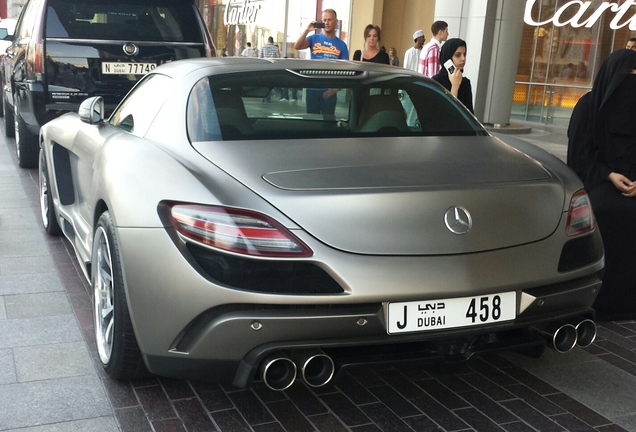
[[47, 376]]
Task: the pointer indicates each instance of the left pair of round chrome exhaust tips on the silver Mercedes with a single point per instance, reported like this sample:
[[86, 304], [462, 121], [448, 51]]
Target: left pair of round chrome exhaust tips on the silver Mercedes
[[279, 370]]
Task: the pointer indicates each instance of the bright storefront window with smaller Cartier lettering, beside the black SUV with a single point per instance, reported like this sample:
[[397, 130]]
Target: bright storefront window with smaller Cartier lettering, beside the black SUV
[[234, 23]]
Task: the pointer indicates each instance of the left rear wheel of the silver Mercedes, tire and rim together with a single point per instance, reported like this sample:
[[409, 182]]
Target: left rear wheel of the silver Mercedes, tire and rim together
[[117, 345]]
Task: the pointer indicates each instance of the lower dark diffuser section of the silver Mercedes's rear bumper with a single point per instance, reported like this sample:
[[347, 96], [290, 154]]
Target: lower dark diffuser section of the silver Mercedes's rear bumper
[[357, 335]]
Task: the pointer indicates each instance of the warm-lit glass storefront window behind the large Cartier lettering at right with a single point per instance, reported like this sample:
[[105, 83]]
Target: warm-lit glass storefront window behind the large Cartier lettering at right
[[558, 63]]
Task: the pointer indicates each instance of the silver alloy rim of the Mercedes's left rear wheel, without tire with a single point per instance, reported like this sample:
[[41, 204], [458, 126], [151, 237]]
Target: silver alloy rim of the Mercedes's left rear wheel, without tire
[[103, 296]]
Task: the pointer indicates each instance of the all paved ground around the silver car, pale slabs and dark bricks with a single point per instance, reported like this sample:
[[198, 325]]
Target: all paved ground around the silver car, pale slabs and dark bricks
[[50, 380]]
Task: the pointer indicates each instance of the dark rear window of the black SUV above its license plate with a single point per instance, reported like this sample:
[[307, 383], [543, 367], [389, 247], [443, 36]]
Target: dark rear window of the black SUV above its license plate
[[135, 20]]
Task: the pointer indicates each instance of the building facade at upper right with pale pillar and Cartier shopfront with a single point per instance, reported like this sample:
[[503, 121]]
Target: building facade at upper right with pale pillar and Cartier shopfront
[[526, 59]]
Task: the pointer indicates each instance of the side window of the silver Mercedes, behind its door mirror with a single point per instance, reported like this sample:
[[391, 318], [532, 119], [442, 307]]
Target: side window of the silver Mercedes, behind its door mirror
[[140, 107]]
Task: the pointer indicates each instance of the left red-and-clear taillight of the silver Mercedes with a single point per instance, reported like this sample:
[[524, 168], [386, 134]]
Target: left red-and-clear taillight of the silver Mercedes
[[239, 231]]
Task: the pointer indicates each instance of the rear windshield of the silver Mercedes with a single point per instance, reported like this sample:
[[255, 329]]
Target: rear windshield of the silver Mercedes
[[288, 105]]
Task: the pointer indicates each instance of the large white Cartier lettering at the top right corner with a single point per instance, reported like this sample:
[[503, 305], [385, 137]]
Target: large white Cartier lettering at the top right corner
[[583, 18]]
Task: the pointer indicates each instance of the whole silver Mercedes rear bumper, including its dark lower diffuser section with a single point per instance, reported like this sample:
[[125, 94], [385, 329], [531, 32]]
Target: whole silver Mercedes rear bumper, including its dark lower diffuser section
[[188, 326]]
